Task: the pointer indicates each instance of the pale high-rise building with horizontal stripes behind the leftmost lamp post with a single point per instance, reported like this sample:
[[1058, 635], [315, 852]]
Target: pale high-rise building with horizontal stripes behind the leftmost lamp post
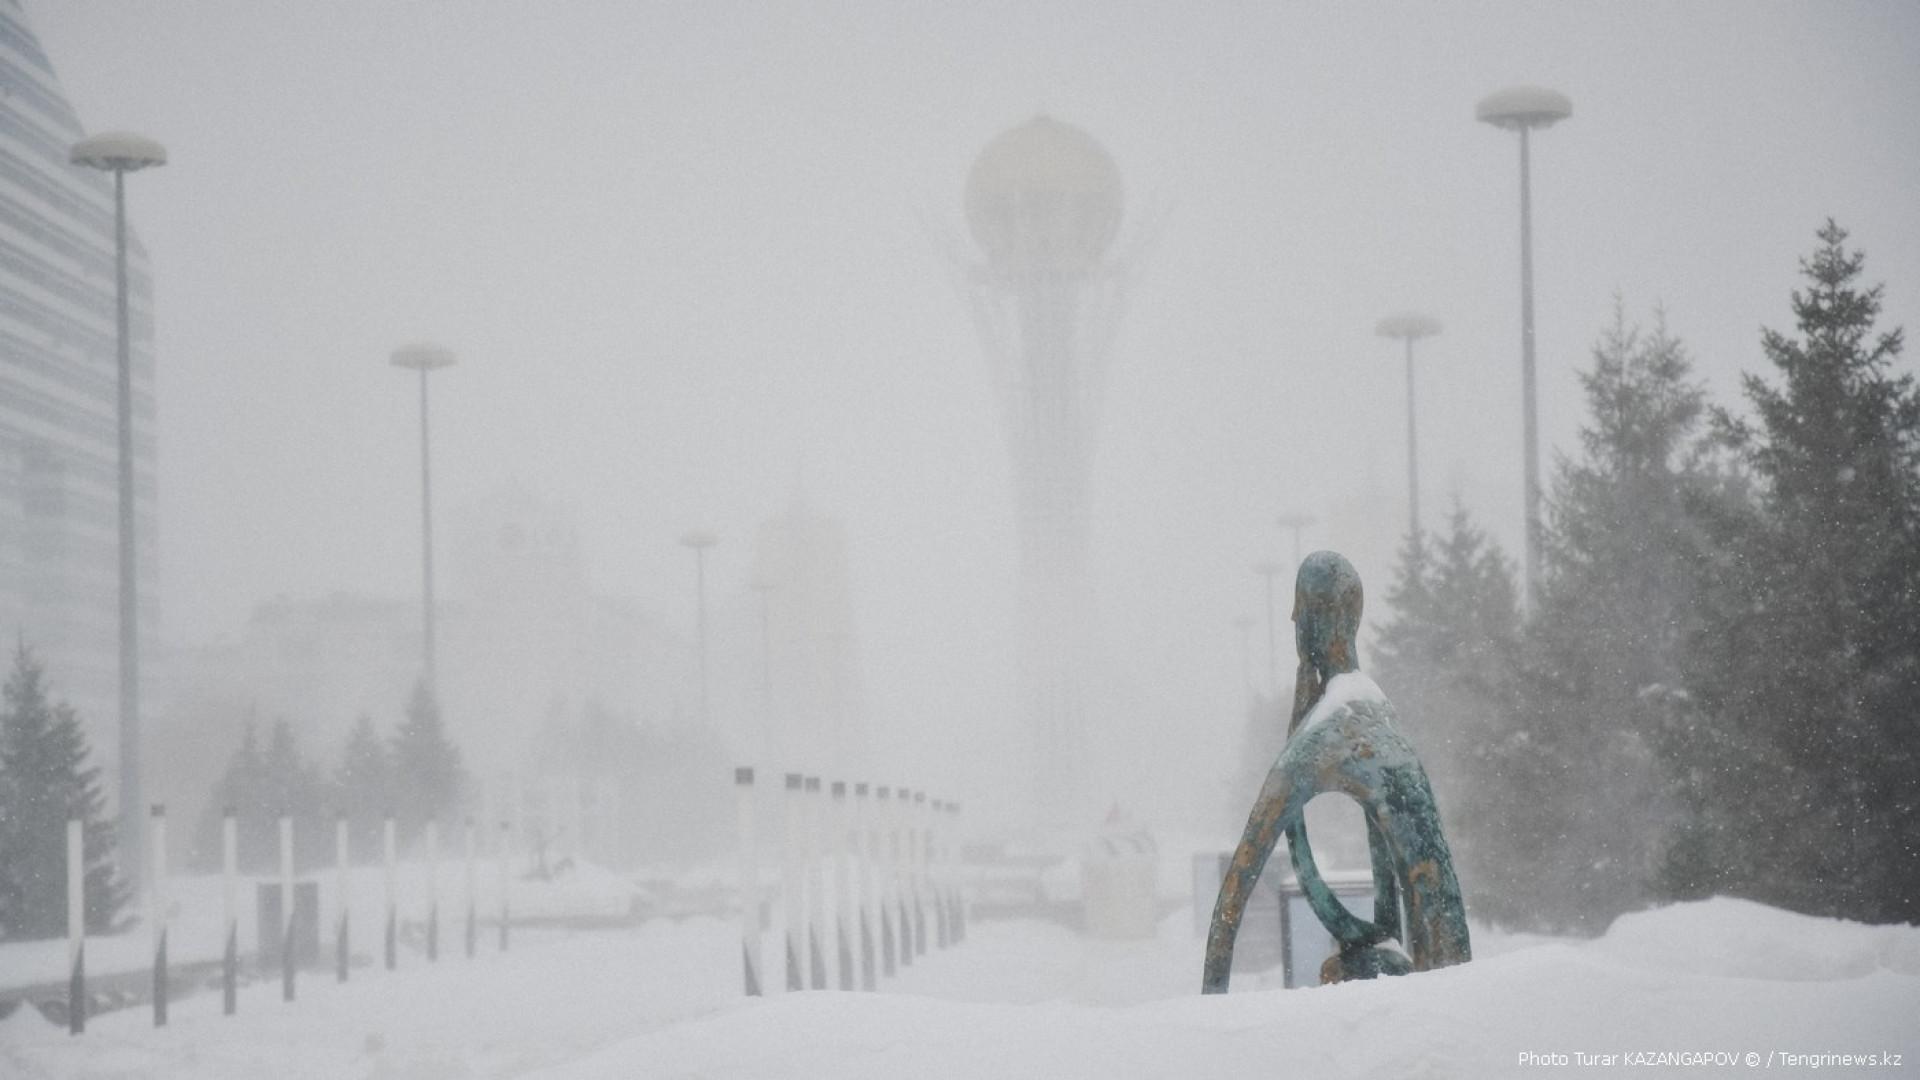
[[59, 399]]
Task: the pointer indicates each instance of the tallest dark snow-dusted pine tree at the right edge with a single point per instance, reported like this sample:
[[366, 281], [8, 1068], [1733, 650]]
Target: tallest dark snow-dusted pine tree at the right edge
[[1827, 666]]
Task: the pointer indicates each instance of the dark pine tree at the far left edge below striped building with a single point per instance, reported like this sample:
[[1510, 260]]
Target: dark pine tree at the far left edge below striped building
[[45, 781]]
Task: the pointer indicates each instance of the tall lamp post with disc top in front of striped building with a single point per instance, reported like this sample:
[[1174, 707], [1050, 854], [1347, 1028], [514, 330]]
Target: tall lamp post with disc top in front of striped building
[[122, 153]]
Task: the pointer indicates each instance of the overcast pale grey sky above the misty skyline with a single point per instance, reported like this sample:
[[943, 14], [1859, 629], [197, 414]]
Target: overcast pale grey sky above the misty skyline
[[684, 257]]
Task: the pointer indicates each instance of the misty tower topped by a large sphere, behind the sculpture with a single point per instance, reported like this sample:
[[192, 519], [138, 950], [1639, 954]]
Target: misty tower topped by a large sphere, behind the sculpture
[[1044, 203]]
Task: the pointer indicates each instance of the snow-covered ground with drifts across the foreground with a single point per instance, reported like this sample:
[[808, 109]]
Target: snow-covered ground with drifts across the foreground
[[1030, 1000]]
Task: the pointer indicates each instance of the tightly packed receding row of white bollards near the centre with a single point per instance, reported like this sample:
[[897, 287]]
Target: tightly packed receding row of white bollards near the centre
[[863, 873]]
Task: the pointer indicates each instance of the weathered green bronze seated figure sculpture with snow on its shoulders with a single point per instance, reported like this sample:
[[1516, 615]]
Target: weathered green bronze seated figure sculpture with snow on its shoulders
[[1343, 739]]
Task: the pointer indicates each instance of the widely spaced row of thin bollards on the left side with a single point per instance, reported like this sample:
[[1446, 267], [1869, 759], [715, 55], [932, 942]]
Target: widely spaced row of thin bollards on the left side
[[158, 908]]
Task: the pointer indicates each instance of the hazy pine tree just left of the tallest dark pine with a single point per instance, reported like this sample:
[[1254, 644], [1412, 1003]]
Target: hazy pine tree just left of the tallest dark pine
[[1606, 652]]
